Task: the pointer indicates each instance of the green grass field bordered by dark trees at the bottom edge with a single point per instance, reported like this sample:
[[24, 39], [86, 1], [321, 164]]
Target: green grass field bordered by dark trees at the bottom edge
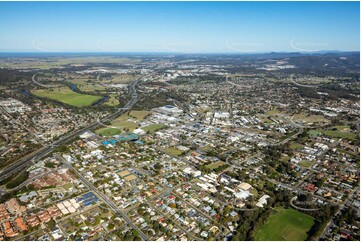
[[285, 224]]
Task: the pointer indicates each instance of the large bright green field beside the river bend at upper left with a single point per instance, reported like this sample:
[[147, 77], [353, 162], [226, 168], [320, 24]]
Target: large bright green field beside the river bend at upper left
[[65, 95]]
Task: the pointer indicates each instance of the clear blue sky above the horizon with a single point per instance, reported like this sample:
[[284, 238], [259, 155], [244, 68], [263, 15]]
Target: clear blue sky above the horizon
[[178, 26]]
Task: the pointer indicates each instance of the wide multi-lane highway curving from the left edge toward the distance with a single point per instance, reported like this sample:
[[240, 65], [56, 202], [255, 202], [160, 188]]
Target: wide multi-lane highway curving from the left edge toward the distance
[[42, 152]]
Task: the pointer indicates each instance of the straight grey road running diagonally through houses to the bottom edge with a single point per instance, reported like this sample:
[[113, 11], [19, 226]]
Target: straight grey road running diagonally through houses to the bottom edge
[[105, 199]]
